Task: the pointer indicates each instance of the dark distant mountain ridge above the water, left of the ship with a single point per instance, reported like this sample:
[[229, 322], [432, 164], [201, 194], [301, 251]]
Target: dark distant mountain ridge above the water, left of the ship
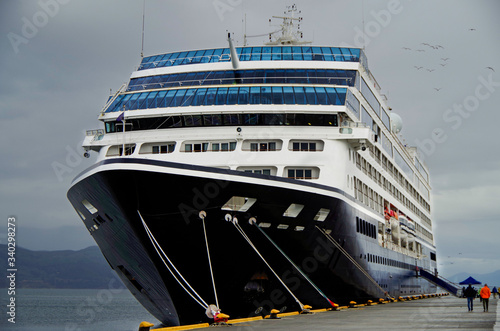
[[86, 268]]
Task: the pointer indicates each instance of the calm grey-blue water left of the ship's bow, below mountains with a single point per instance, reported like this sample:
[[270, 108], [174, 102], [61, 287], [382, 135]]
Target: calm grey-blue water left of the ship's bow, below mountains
[[74, 310]]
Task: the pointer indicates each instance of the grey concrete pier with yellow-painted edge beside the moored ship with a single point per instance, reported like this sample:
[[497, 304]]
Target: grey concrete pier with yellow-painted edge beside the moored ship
[[443, 313]]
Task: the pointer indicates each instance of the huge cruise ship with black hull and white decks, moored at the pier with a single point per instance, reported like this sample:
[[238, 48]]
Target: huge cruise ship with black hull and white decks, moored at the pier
[[237, 180]]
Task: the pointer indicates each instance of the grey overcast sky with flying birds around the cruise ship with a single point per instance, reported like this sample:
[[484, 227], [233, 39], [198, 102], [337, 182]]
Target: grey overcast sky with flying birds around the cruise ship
[[59, 60]]
